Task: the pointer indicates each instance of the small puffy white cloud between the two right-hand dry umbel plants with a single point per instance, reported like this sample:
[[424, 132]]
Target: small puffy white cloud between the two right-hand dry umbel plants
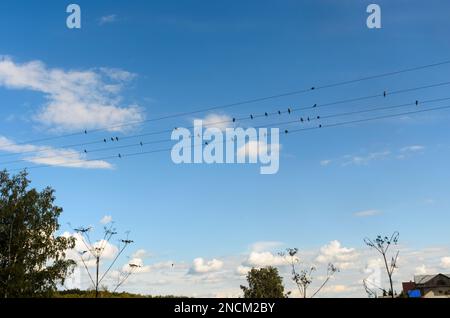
[[335, 253]]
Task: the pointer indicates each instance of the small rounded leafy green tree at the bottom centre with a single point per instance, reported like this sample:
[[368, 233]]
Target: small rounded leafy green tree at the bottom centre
[[264, 283]]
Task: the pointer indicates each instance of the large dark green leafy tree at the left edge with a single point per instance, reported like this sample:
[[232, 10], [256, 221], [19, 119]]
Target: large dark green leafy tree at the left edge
[[32, 258]]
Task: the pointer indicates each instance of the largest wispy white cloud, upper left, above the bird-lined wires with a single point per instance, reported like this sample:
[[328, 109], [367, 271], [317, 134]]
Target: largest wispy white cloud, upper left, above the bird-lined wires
[[75, 99]]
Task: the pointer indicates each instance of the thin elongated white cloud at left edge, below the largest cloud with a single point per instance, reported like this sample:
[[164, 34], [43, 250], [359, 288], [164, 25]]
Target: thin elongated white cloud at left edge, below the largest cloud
[[44, 155]]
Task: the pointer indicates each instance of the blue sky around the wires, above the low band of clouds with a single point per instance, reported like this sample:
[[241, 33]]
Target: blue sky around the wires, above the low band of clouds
[[341, 183]]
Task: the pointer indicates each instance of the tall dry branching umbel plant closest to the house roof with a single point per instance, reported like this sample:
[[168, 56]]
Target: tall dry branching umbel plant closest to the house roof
[[382, 245]]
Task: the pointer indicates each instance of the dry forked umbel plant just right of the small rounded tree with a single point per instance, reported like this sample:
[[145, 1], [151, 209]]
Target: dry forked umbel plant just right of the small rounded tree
[[303, 278]]
